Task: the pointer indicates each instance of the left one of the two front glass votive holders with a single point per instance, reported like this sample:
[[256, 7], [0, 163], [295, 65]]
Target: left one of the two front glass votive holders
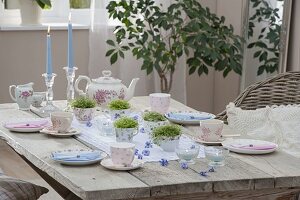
[[187, 151]]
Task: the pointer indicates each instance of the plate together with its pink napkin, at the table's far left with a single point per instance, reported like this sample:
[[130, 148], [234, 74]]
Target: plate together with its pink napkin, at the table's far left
[[26, 125]]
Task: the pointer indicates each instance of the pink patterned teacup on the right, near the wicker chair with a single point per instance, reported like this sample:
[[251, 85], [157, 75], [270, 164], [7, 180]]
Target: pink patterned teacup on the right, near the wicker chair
[[211, 130]]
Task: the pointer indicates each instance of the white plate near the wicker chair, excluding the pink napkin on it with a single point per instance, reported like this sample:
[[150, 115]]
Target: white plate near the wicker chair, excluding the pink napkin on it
[[229, 142]]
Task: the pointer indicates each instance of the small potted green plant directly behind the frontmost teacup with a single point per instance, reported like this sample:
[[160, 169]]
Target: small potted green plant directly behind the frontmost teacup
[[125, 128]]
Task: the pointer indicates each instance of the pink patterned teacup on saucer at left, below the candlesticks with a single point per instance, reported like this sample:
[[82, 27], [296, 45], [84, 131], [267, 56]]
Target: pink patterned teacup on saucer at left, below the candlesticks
[[61, 121]]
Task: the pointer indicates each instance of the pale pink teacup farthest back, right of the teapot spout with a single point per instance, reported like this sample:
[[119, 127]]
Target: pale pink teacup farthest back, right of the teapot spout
[[160, 102]]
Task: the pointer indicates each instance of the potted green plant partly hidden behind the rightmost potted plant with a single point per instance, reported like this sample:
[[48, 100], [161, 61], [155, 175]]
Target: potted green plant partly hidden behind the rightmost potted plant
[[152, 120]]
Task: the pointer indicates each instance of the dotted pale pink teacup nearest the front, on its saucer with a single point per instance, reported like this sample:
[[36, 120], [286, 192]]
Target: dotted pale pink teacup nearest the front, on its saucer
[[122, 153]]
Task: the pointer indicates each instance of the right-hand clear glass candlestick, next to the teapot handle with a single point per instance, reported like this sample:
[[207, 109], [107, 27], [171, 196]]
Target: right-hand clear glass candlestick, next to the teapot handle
[[70, 75]]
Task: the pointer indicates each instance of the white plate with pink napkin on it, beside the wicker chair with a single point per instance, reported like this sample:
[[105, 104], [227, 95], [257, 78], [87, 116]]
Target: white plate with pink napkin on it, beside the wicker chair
[[249, 146]]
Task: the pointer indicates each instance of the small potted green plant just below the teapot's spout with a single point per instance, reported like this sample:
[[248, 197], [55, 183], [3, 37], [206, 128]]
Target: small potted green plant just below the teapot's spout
[[118, 108]]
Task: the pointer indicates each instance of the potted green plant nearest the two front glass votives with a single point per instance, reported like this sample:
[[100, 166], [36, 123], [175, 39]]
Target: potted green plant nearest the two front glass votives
[[167, 136]]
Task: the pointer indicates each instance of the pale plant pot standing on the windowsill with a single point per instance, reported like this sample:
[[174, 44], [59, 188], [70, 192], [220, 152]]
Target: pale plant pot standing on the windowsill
[[30, 12]]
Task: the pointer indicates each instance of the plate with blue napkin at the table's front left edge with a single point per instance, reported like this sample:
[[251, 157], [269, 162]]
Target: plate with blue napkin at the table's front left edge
[[78, 157]]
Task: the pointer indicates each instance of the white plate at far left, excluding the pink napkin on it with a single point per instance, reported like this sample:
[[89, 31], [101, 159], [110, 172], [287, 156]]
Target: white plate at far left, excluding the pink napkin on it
[[25, 129]]
